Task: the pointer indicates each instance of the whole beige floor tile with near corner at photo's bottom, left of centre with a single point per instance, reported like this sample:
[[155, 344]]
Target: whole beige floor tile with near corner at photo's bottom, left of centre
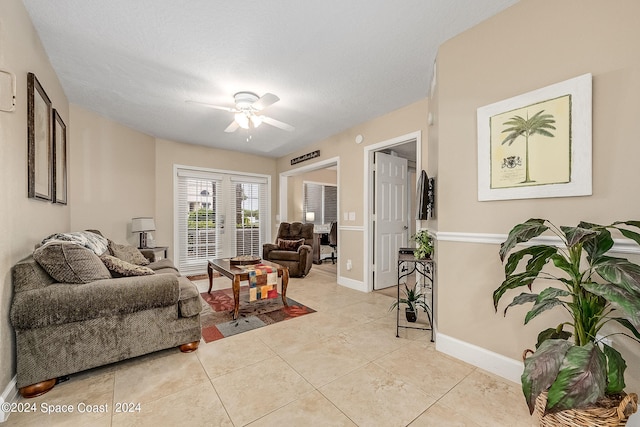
[[257, 390]]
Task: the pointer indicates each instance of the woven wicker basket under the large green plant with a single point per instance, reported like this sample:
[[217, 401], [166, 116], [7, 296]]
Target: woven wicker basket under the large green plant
[[608, 413]]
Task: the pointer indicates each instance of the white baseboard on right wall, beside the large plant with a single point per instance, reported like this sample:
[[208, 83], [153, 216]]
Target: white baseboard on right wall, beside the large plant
[[482, 358]]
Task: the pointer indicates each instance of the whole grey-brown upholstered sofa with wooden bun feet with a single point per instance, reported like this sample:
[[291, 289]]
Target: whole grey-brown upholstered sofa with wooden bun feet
[[64, 328]]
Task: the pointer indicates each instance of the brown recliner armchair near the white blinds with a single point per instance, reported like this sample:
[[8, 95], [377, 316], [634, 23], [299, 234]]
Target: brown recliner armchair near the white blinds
[[293, 248]]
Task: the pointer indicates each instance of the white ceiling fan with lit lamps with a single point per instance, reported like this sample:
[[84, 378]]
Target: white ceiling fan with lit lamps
[[248, 105]]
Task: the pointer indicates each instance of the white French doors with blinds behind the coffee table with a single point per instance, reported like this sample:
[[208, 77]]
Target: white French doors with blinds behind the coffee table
[[219, 215]]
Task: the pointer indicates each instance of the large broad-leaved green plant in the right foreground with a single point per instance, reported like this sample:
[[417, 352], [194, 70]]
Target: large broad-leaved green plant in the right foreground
[[572, 365]]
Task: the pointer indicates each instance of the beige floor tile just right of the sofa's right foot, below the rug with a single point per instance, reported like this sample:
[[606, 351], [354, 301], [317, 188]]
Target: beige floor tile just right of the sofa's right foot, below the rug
[[228, 354]]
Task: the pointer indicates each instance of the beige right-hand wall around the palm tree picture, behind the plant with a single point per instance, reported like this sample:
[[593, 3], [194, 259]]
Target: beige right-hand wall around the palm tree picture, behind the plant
[[533, 44]]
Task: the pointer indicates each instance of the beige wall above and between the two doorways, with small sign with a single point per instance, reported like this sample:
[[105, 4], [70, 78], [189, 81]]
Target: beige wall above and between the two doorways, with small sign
[[351, 185]]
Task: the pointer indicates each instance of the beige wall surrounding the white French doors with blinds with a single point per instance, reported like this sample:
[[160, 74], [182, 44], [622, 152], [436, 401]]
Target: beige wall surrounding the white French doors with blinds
[[169, 153]]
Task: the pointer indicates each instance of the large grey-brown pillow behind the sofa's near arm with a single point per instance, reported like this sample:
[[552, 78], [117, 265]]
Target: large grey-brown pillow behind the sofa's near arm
[[70, 263]]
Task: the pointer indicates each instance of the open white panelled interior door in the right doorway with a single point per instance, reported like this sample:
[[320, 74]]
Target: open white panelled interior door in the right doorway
[[391, 217]]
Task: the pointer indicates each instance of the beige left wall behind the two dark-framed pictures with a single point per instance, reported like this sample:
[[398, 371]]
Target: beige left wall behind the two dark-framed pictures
[[23, 221]]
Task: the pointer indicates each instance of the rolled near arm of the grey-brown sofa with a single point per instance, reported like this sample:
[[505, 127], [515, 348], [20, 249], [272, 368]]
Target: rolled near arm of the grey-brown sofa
[[60, 303]]
